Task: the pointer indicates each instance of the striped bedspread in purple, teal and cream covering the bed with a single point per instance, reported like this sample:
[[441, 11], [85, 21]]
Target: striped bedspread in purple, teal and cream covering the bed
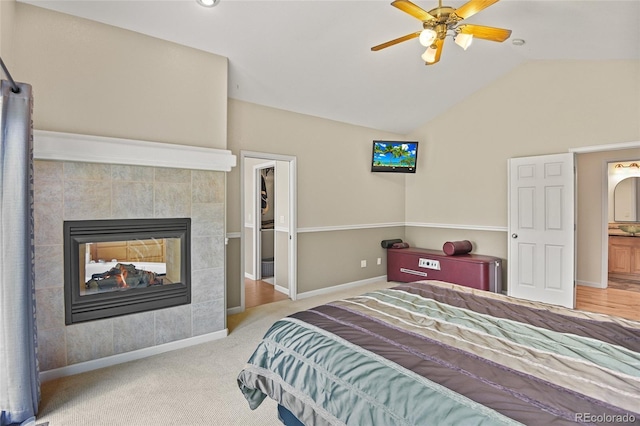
[[433, 353]]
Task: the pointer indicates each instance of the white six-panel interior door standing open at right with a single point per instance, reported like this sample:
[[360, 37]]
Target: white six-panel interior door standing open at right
[[541, 250]]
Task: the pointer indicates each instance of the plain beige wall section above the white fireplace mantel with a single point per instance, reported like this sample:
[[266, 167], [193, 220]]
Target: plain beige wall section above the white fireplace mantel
[[94, 79]]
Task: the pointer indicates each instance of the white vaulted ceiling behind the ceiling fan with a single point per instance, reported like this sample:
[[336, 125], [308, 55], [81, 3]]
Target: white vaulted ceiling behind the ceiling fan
[[314, 57]]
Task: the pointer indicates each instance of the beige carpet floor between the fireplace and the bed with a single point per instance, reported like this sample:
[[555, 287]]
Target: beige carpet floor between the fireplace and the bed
[[191, 386]]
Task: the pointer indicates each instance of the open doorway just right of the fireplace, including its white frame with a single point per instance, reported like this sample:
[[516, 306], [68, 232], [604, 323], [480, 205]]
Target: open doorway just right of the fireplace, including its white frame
[[268, 240]]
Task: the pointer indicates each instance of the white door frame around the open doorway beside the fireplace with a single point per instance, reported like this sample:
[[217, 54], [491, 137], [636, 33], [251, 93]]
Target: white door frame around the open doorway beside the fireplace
[[293, 212]]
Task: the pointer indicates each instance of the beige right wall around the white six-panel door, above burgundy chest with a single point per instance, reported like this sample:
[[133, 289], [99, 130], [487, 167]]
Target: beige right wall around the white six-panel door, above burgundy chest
[[541, 107]]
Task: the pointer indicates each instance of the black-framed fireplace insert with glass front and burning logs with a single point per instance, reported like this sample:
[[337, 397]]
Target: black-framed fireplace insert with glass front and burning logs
[[122, 266]]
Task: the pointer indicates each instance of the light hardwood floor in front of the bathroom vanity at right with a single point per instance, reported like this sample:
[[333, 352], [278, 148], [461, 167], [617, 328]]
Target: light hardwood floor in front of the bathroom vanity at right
[[621, 298]]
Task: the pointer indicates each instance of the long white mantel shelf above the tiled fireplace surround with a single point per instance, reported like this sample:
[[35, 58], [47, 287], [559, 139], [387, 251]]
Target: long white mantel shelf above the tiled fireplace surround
[[98, 149]]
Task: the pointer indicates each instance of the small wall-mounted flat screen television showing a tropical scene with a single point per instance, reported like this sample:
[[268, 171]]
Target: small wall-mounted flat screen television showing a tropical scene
[[394, 156]]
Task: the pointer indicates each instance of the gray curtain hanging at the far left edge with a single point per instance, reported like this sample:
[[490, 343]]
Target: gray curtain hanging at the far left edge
[[19, 383]]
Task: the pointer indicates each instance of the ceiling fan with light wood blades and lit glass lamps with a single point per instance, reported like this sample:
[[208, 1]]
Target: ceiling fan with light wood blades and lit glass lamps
[[442, 21]]
